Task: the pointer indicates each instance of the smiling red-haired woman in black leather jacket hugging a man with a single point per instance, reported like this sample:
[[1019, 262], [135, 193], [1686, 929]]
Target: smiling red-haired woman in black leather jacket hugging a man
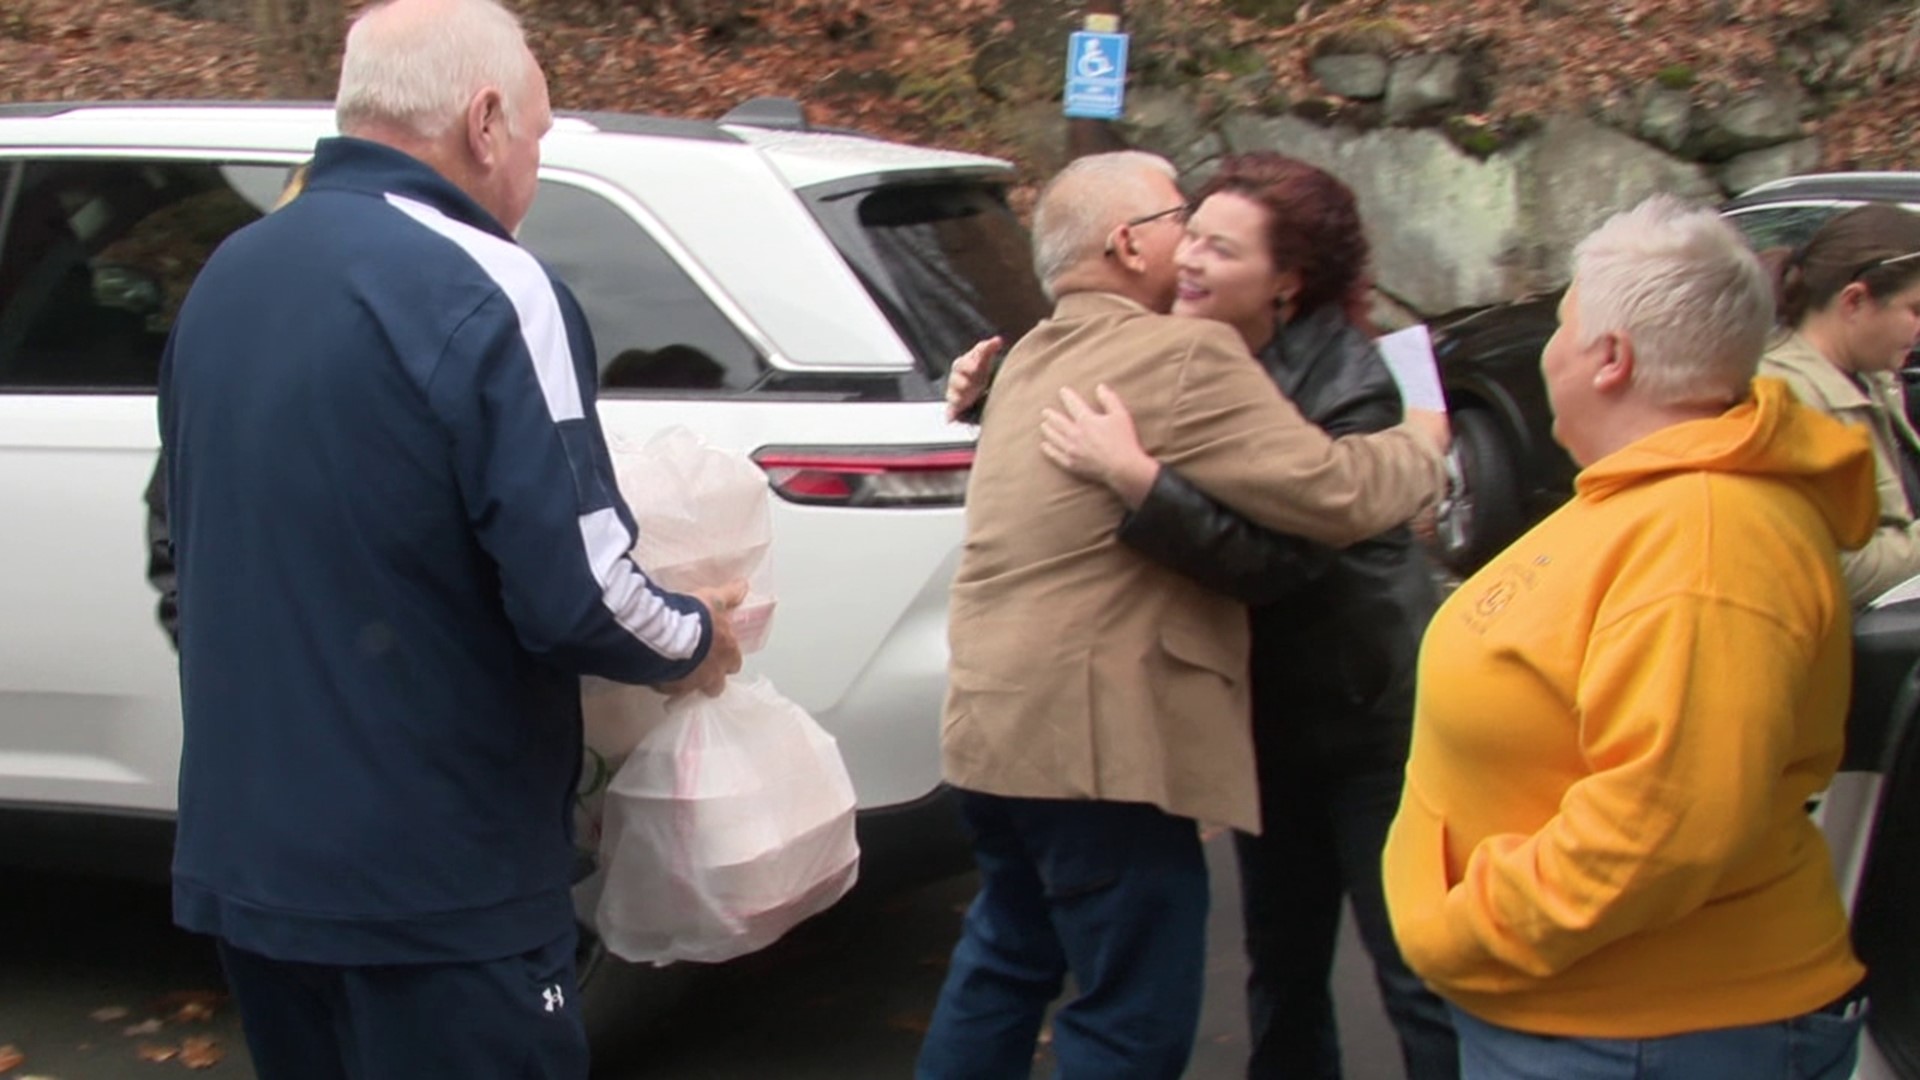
[[1276, 251]]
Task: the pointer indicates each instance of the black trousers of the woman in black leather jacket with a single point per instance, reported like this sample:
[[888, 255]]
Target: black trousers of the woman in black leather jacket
[[1322, 841]]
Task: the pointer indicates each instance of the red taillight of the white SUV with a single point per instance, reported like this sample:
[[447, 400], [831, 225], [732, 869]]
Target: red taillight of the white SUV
[[869, 478]]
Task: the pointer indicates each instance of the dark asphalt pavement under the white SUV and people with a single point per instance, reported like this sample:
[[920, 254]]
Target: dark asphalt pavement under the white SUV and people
[[97, 985]]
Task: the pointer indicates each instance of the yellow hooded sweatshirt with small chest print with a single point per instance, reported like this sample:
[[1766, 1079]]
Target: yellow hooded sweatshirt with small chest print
[[1620, 724]]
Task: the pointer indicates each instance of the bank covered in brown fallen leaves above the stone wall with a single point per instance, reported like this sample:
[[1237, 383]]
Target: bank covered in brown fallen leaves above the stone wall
[[903, 68]]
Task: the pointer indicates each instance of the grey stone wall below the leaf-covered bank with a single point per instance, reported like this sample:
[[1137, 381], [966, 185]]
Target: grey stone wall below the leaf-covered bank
[[1462, 214]]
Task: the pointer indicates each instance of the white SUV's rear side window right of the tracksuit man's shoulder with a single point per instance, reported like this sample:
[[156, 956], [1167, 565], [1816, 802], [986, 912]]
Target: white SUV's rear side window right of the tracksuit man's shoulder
[[652, 324]]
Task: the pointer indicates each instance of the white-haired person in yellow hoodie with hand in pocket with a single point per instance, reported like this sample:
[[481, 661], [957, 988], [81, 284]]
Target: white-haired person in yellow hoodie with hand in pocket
[[1602, 856]]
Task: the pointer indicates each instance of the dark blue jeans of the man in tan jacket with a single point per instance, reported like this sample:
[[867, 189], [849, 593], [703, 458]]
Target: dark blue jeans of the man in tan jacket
[[1115, 895]]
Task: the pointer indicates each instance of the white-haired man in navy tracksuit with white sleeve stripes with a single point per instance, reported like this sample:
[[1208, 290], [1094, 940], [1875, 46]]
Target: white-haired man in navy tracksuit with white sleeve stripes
[[398, 545]]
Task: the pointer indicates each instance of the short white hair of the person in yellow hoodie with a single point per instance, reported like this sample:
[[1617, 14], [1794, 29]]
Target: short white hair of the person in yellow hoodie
[[1687, 291]]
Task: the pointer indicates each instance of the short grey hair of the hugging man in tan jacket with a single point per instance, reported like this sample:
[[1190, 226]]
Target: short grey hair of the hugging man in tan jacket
[[1086, 203]]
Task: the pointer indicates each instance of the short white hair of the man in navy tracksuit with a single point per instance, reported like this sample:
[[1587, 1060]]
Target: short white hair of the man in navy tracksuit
[[420, 62]]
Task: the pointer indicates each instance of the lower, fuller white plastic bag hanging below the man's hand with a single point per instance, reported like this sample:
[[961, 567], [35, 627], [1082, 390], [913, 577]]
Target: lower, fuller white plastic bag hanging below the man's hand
[[727, 827]]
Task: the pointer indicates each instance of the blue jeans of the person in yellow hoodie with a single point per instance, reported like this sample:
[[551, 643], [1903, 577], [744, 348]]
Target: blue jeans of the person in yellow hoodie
[[1819, 1046]]
